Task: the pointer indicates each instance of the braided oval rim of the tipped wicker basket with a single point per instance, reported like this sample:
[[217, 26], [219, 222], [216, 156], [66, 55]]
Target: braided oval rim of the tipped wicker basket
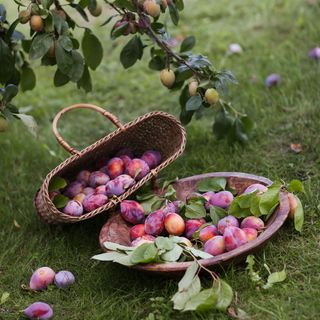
[[112, 202]]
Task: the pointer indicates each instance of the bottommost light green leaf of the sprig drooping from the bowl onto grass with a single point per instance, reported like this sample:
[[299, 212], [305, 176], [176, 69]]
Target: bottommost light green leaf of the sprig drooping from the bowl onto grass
[[203, 301]]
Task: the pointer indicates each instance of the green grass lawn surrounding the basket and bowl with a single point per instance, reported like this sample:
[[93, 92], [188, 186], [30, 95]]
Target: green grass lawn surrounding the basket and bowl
[[276, 36]]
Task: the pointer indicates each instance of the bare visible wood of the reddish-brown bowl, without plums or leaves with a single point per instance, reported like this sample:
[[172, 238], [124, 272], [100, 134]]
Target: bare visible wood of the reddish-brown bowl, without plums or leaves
[[117, 230]]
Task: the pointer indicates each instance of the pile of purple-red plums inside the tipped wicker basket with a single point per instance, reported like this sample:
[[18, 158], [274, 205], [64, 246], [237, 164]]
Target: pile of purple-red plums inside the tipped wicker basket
[[91, 190]]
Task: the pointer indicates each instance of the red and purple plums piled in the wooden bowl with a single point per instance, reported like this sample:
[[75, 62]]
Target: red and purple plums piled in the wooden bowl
[[227, 235]]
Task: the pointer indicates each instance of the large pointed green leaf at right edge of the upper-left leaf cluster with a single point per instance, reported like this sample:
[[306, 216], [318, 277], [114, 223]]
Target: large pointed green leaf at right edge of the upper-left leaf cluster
[[92, 50]]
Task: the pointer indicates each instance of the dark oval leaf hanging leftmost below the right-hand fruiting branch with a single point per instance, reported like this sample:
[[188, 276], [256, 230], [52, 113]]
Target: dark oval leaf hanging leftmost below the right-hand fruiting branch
[[131, 52]]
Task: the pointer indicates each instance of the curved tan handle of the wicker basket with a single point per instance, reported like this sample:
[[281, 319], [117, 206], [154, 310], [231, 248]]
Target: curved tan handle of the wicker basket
[[56, 119]]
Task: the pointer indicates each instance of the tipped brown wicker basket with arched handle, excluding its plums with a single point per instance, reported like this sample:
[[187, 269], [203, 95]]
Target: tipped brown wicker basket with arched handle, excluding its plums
[[156, 130]]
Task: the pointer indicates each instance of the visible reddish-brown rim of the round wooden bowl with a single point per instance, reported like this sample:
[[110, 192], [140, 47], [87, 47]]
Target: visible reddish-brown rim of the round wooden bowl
[[274, 223]]
